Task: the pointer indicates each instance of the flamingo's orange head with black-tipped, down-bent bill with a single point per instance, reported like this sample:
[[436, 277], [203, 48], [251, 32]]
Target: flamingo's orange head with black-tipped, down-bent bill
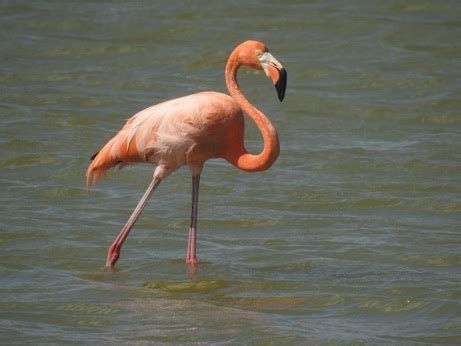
[[255, 54]]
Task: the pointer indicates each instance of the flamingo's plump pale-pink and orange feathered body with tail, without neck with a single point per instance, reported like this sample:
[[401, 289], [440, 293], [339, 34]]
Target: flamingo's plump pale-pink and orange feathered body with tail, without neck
[[184, 131]]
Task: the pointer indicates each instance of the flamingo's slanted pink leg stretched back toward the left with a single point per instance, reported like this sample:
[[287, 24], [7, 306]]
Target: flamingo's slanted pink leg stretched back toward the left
[[114, 250]]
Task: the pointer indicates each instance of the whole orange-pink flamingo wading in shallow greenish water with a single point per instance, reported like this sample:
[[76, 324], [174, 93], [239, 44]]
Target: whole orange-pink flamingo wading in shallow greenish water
[[190, 130]]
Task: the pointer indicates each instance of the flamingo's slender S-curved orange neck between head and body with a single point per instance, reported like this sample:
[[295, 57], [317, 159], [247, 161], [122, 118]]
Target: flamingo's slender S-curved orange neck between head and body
[[244, 160]]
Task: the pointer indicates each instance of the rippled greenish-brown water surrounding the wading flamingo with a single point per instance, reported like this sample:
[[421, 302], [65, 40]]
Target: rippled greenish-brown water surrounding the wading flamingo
[[353, 236]]
